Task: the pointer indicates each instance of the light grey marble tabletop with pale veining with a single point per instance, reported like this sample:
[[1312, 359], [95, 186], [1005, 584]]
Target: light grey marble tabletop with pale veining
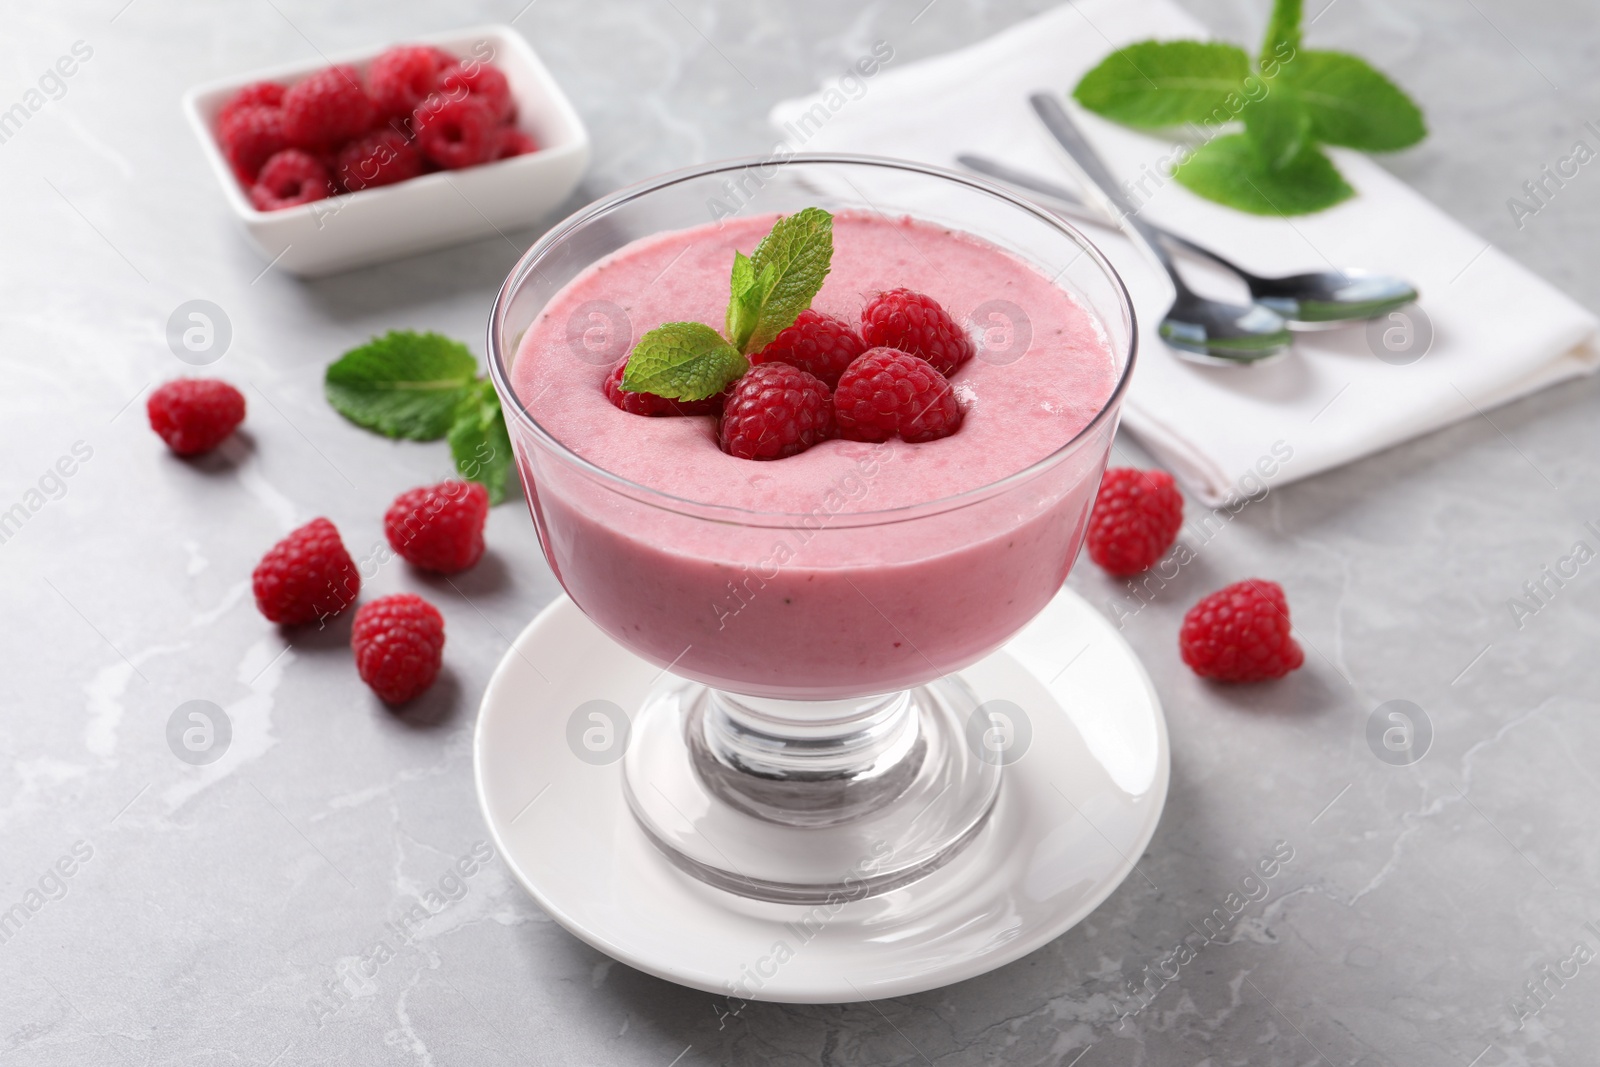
[[177, 914]]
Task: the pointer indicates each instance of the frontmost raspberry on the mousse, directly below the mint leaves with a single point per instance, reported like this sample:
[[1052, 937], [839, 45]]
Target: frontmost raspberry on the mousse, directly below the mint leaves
[[775, 412]]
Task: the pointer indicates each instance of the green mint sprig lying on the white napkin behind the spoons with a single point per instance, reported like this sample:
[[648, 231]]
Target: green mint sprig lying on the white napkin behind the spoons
[[1289, 102]]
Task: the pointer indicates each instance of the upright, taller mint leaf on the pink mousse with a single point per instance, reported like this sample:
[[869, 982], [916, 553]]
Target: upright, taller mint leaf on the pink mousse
[[788, 271]]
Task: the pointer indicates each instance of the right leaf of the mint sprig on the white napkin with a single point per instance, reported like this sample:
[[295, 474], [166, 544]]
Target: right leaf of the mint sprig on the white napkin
[[1353, 105]]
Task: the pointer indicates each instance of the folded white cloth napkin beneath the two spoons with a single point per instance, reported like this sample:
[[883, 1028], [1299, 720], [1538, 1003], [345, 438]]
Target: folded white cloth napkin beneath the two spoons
[[1498, 330]]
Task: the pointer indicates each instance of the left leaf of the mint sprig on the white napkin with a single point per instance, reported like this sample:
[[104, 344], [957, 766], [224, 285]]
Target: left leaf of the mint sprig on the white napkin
[[1167, 84]]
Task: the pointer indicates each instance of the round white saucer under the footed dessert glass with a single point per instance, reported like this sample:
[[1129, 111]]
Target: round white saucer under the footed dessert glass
[[1074, 815]]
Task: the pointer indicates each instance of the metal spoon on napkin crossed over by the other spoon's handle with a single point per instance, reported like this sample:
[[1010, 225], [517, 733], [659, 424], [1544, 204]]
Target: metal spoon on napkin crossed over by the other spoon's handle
[[1310, 302]]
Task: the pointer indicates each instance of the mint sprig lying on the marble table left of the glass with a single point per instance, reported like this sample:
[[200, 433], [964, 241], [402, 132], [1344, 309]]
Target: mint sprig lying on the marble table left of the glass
[[422, 388]]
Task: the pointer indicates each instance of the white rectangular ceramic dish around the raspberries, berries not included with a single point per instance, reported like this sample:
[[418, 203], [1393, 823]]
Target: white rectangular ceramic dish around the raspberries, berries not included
[[430, 212]]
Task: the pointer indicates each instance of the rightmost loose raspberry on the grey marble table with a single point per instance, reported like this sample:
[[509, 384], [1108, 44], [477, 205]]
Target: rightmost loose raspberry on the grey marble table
[[1241, 634]]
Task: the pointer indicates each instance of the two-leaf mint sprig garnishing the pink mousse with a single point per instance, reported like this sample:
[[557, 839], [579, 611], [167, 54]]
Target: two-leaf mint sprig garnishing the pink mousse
[[769, 289]]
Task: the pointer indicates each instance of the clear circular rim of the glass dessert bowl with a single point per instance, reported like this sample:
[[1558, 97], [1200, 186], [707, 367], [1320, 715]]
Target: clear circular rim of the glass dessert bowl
[[500, 372]]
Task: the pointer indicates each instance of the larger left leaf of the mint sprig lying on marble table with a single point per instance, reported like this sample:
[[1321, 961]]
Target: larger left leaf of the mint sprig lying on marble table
[[402, 385]]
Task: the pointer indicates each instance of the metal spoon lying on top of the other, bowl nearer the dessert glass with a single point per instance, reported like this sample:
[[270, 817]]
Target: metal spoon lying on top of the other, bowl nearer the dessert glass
[[1199, 329]]
